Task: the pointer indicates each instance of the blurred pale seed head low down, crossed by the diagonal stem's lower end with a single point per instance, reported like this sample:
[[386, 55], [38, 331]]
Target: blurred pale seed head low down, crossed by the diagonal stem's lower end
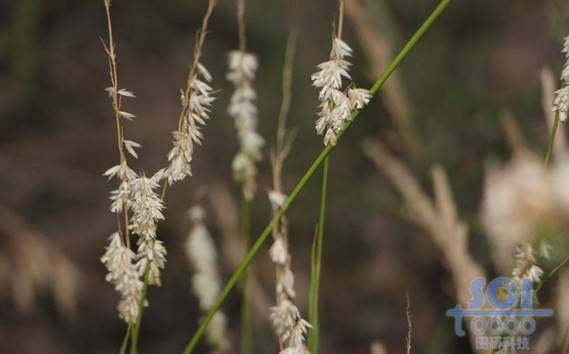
[[206, 282]]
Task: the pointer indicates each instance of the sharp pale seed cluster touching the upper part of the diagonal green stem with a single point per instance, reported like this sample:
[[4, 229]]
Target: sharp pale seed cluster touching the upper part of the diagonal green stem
[[336, 104]]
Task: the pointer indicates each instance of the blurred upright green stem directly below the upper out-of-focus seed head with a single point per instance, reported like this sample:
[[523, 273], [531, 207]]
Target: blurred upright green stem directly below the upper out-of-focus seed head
[[246, 323]]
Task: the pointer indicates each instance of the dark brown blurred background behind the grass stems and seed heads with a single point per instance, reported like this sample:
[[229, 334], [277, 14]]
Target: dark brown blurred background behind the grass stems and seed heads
[[471, 84]]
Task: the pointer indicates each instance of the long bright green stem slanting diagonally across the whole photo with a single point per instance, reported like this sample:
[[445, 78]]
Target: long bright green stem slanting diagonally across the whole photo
[[304, 180]]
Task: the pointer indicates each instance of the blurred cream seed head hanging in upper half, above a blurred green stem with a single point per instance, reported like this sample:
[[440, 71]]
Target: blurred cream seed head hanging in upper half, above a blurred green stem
[[242, 67]]
